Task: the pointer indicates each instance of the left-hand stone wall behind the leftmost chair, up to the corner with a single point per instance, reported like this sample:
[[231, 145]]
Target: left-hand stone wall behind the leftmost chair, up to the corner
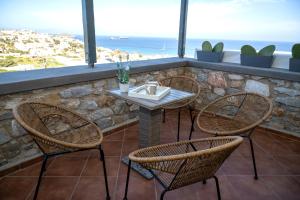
[[89, 99]]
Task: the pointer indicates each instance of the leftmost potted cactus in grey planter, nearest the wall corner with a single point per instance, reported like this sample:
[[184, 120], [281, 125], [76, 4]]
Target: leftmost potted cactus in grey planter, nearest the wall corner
[[209, 53]]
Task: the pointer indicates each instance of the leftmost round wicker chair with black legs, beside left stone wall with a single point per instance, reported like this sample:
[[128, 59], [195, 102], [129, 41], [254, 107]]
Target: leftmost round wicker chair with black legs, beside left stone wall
[[57, 131]]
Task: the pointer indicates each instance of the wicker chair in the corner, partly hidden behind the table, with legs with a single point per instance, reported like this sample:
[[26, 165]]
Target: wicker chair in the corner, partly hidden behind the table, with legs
[[181, 83]]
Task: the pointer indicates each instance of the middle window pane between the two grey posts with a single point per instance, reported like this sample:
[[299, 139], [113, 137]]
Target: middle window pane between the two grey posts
[[144, 29]]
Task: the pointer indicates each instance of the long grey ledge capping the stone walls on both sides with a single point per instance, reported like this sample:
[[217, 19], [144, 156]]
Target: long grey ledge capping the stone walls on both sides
[[13, 82]]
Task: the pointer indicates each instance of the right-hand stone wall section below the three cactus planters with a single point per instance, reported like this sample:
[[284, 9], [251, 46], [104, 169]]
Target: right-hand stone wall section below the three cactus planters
[[284, 94]]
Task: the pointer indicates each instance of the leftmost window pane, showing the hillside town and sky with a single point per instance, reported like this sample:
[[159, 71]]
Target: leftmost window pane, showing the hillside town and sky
[[40, 34]]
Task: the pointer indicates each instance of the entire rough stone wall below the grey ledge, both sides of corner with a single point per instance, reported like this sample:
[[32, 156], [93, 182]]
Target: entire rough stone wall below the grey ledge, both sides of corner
[[91, 100]]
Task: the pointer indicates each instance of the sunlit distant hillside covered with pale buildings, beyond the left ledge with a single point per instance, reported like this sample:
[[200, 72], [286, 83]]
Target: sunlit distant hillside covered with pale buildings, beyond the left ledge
[[26, 50]]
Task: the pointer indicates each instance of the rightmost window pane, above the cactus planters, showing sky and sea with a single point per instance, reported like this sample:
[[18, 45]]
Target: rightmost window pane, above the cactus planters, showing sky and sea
[[238, 22]]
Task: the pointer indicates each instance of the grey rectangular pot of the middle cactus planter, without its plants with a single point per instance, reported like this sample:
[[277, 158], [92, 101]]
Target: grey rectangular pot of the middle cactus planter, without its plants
[[257, 61]]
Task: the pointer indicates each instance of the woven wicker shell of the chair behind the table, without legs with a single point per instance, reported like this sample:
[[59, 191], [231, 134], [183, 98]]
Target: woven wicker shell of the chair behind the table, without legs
[[182, 83]]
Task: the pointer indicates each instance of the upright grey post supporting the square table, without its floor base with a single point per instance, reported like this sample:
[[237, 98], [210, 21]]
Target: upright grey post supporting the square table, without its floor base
[[149, 127]]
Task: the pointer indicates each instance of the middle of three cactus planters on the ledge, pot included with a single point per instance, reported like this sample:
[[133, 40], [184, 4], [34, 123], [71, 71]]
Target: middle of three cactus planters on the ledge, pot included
[[263, 58]]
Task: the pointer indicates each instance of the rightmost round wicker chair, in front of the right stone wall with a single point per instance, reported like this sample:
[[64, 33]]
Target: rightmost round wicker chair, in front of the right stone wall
[[237, 114]]
